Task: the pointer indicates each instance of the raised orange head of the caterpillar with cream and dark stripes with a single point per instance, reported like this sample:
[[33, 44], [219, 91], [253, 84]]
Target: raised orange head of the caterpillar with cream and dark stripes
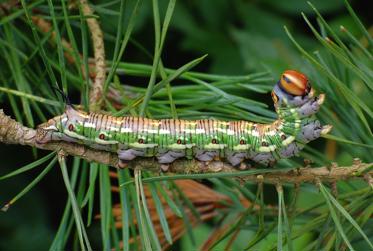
[[292, 90]]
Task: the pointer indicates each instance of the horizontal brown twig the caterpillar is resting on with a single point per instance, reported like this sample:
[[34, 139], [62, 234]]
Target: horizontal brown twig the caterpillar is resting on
[[12, 132]]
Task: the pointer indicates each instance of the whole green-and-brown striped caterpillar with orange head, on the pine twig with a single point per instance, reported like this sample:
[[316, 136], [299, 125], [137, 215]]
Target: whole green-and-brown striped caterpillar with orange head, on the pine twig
[[204, 139]]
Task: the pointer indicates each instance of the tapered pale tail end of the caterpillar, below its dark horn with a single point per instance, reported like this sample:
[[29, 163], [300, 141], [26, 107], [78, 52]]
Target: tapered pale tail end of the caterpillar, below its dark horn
[[69, 124]]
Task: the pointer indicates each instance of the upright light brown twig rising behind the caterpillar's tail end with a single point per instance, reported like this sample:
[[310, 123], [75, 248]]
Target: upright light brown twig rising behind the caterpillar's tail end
[[95, 95]]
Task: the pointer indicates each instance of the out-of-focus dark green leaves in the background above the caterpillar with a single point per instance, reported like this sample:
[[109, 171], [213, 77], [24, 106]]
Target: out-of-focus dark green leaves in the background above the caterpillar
[[239, 36]]
